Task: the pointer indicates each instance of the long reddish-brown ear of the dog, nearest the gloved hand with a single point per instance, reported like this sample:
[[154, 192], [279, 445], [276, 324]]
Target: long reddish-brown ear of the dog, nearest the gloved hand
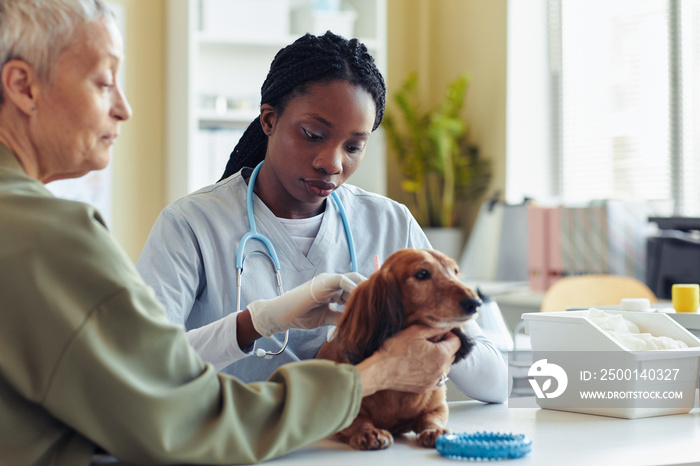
[[373, 313]]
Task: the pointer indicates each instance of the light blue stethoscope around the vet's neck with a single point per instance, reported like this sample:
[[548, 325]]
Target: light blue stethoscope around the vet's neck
[[272, 254]]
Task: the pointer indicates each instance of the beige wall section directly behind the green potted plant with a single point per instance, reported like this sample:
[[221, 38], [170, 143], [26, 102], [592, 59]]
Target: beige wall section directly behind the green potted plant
[[440, 39]]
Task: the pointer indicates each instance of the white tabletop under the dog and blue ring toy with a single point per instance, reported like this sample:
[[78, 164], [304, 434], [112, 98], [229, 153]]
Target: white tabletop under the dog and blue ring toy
[[557, 437]]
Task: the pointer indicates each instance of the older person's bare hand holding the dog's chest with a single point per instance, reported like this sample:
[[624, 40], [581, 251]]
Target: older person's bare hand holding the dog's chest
[[413, 360]]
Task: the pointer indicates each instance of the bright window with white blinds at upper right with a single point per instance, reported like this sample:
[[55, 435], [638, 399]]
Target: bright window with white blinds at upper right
[[627, 107]]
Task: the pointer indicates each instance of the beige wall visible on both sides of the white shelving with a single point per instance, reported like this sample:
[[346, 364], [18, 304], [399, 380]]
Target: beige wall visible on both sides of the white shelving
[[437, 38]]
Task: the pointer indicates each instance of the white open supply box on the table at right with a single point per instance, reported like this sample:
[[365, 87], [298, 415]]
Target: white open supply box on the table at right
[[572, 331]]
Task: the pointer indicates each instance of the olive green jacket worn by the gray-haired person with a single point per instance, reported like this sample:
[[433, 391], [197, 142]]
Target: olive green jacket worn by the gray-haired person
[[88, 358]]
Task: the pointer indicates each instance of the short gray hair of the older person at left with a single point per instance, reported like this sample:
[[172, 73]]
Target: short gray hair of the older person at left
[[37, 31]]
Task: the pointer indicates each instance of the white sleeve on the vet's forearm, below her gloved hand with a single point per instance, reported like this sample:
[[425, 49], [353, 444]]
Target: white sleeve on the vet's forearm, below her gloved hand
[[217, 343]]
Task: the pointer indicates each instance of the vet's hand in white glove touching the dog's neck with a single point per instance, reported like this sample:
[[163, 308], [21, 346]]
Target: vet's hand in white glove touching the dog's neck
[[306, 306]]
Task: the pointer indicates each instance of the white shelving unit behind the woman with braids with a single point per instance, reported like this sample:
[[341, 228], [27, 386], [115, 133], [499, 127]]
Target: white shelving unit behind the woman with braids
[[226, 65]]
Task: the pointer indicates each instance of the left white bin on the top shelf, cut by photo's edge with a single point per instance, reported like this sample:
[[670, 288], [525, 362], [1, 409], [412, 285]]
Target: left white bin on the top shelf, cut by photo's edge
[[246, 19]]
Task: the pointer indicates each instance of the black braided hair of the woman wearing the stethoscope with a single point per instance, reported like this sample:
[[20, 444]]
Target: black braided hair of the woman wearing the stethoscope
[[310, 59]]
